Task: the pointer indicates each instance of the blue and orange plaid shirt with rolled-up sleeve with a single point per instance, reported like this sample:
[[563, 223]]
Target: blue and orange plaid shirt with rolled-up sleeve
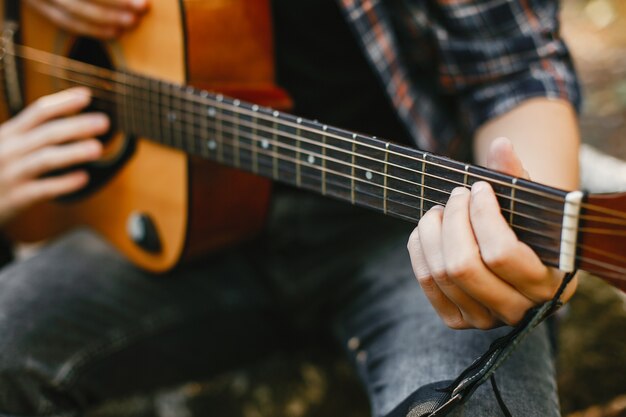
[[450, 65]]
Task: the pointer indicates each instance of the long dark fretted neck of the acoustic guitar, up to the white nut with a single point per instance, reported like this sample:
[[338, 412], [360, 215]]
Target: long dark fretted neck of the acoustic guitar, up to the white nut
[[363, 170]]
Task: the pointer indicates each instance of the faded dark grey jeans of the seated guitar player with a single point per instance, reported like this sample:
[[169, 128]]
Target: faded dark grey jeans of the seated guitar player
[[79, 324]]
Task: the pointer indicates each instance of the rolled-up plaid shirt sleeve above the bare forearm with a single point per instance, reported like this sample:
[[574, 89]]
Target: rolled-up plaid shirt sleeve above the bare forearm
[[494, 54]]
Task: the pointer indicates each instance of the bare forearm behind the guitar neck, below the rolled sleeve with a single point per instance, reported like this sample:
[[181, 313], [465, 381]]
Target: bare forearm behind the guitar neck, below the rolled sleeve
[[545, 136]]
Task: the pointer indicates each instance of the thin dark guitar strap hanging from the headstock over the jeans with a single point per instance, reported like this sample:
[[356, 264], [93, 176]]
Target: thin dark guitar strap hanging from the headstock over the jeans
[[440, 398]]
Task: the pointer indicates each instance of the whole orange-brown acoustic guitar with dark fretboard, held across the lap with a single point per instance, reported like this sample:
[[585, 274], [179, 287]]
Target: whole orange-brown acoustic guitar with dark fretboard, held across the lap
[[202, 126]]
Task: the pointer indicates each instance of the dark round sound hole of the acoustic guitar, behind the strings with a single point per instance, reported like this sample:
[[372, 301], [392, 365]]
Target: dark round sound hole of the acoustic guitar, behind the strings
[[91, 51]]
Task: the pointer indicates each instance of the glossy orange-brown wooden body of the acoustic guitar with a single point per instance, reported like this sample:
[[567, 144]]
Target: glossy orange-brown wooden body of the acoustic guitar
[[194, 205]]
